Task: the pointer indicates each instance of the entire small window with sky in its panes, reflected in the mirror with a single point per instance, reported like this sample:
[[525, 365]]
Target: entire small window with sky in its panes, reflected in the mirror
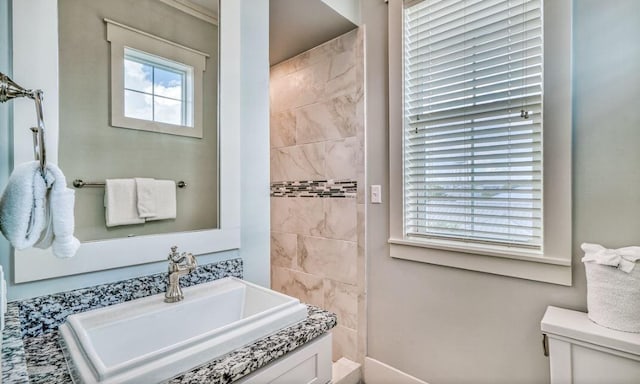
[[156, 84]]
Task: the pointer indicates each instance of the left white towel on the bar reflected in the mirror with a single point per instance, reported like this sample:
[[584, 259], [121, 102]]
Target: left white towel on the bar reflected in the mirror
[[120, 202]]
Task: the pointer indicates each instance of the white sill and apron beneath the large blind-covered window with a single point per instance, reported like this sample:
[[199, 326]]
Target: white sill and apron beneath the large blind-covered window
[[493, 260]]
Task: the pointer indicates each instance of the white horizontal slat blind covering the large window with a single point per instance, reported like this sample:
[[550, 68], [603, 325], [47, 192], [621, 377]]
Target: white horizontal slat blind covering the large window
[[473, 121]]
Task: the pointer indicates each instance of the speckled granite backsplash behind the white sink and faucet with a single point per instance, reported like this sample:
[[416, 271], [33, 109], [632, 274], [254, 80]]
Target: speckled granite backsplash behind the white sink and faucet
[[45, 314]]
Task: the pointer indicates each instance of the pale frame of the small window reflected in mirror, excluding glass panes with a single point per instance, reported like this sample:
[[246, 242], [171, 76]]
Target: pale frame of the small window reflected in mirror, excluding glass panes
[[129, 42]]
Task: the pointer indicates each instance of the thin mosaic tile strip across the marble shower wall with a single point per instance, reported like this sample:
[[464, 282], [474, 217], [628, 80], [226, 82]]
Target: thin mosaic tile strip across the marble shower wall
[[315, 188]]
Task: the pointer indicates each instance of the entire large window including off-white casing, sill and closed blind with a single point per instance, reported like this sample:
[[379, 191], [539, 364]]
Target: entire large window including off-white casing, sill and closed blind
[[480, 155]]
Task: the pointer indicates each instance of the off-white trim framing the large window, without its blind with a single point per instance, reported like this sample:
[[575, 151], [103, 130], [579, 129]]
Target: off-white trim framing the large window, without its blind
[[552, 266]]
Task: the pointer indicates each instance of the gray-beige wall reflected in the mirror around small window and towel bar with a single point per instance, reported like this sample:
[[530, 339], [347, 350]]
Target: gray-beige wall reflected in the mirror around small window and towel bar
[[91, 149]]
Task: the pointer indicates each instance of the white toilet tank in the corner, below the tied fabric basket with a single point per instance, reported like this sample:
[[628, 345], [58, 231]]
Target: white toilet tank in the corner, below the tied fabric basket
[[582, 352]]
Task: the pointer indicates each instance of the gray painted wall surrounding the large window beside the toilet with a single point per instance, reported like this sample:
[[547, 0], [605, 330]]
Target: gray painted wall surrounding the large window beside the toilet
[[445, 325]]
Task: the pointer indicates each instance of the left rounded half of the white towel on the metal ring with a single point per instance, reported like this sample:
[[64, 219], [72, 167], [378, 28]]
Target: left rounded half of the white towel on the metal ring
[[22, 206]]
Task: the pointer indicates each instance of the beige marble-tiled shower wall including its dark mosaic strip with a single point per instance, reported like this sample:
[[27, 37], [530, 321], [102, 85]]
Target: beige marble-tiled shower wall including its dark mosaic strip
[[317, 180]]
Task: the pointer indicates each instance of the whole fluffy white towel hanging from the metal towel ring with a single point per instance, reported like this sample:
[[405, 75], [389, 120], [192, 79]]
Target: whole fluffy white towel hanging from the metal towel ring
[[32, 216]]
